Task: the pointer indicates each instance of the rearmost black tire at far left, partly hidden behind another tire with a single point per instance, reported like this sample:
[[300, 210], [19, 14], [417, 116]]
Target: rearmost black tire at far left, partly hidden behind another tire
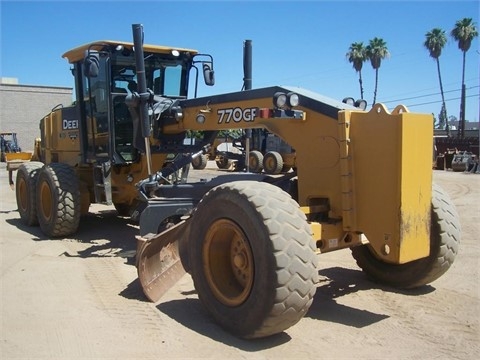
[[25, 189]]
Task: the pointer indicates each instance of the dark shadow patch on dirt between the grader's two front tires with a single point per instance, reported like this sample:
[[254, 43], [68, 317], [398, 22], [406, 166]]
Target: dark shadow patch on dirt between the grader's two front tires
[[336, 282]]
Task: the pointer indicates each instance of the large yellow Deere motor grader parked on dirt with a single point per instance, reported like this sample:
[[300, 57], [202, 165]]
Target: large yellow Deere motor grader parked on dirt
[[251, 241]]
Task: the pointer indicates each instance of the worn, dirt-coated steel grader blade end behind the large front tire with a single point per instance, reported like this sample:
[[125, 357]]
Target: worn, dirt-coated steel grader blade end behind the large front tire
[[158, 261]]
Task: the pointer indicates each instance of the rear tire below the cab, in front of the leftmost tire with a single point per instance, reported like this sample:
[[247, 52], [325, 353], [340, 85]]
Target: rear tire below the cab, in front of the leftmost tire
[[58, 200]]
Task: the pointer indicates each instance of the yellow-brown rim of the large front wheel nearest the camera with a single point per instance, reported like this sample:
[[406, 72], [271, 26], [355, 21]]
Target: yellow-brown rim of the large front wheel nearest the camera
[[228, 262]]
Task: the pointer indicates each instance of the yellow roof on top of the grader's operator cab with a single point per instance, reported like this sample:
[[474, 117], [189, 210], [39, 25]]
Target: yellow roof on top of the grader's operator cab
[[78, 53]]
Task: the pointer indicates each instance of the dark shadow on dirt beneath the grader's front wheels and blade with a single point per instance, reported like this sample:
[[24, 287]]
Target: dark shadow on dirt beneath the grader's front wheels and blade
[[335, 283]]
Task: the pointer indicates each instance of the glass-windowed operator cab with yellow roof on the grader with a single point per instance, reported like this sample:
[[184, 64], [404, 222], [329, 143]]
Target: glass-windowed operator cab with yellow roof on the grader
[[105, 79]]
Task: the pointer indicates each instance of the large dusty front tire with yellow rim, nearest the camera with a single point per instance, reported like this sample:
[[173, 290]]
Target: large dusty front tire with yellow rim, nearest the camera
[[254, 264]]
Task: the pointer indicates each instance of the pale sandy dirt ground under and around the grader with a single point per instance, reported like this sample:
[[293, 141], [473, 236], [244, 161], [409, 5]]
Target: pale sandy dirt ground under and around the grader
[[79, 298]]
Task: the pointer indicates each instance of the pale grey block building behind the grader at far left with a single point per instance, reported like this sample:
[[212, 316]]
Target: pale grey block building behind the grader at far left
[[22, 107]]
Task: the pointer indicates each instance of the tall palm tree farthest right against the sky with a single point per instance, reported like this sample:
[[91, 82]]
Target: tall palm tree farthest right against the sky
[[463, 32]]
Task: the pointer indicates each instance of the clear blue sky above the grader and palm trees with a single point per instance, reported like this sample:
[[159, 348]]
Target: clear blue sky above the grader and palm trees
[[298, 43]]
